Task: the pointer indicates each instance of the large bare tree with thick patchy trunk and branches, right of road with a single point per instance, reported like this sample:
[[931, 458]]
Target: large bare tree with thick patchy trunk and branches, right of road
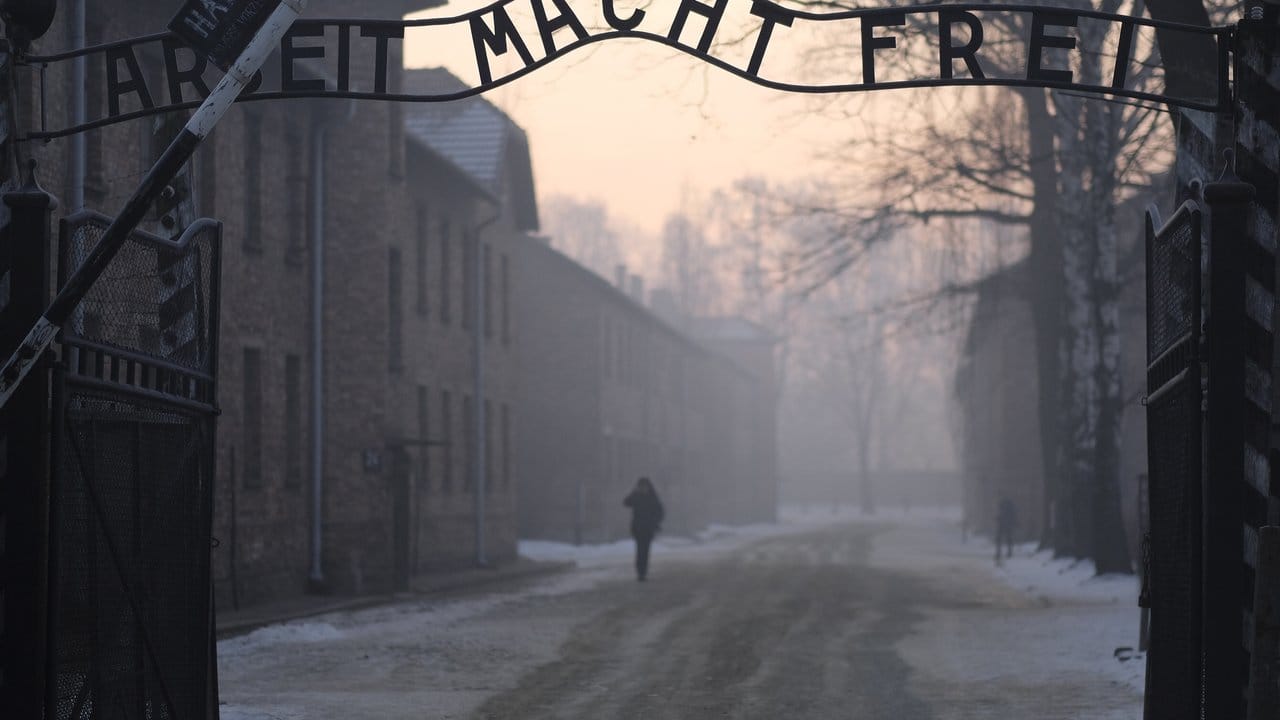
[[1055, 166]]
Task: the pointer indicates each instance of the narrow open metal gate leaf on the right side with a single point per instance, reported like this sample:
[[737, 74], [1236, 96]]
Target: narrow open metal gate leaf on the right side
[[1173, 576]]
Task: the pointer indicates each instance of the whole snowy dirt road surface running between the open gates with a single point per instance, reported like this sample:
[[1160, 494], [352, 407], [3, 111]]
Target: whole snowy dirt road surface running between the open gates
[[860, 621]]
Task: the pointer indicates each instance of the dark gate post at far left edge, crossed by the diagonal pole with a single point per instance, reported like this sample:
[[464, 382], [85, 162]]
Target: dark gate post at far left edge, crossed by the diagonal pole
[[25, 485]]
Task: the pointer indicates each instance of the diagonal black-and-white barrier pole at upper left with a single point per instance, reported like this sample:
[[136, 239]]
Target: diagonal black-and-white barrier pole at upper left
[[200, 125]]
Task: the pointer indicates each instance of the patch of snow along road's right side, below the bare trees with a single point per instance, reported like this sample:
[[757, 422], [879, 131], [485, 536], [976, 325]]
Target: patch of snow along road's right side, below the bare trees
[[1048, 621]]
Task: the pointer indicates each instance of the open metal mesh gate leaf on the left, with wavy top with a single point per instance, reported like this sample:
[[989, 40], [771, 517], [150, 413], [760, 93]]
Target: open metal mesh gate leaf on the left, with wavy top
[[131, 632]]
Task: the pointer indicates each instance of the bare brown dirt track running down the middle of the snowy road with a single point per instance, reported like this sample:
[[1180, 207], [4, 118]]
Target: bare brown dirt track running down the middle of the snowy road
[[797, 627]]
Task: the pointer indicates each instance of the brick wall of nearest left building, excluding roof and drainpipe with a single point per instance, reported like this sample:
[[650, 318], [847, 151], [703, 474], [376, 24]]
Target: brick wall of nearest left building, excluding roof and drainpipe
[[374, 189]]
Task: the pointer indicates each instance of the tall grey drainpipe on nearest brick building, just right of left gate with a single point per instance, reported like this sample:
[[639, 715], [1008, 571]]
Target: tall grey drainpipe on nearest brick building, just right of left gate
[[319, 139]]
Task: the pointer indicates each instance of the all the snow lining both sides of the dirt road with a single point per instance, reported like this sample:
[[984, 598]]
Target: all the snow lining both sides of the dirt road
[[1041, 619]]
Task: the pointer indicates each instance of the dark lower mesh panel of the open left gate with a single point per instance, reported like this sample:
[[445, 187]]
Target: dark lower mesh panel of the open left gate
[[132, 563]]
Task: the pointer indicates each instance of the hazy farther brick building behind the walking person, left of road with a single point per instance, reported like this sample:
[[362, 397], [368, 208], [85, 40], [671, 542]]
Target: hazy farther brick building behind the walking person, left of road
[[611, 393]]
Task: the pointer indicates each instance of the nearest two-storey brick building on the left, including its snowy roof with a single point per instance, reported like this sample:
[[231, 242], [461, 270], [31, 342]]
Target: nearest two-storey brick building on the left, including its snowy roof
[[348, 452]]
